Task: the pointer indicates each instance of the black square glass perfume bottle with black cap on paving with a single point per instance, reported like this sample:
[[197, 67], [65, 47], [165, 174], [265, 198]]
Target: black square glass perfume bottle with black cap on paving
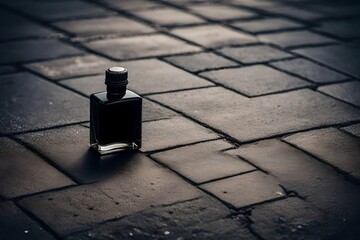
[[115, 115]]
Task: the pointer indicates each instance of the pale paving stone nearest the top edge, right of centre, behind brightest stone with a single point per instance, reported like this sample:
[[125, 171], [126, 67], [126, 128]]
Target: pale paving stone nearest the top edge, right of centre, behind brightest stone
[[220, 12]]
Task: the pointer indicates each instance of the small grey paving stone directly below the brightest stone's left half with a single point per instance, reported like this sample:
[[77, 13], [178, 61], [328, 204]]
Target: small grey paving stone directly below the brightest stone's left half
[[200, 61]]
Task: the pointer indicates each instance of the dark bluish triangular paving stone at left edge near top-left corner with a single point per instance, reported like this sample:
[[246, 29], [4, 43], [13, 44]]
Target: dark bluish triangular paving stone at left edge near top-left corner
[[15, 27]]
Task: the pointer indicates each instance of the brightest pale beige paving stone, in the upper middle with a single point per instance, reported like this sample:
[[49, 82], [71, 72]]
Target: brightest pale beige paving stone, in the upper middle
[[213, 36]]
